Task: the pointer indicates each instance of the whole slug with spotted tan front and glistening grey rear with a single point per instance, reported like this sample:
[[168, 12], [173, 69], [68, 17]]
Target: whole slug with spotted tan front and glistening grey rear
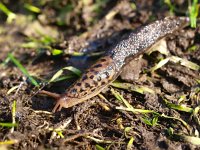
[[108, 67]]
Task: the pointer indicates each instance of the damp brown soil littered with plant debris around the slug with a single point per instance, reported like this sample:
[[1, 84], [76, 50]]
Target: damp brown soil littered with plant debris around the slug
[[97, 123]]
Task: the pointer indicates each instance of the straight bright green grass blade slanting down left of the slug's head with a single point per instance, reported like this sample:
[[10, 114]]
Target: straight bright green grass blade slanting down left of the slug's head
[[23, 70]]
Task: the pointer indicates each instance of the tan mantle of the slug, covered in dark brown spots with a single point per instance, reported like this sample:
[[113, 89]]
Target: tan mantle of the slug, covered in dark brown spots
[[94, 78]]
